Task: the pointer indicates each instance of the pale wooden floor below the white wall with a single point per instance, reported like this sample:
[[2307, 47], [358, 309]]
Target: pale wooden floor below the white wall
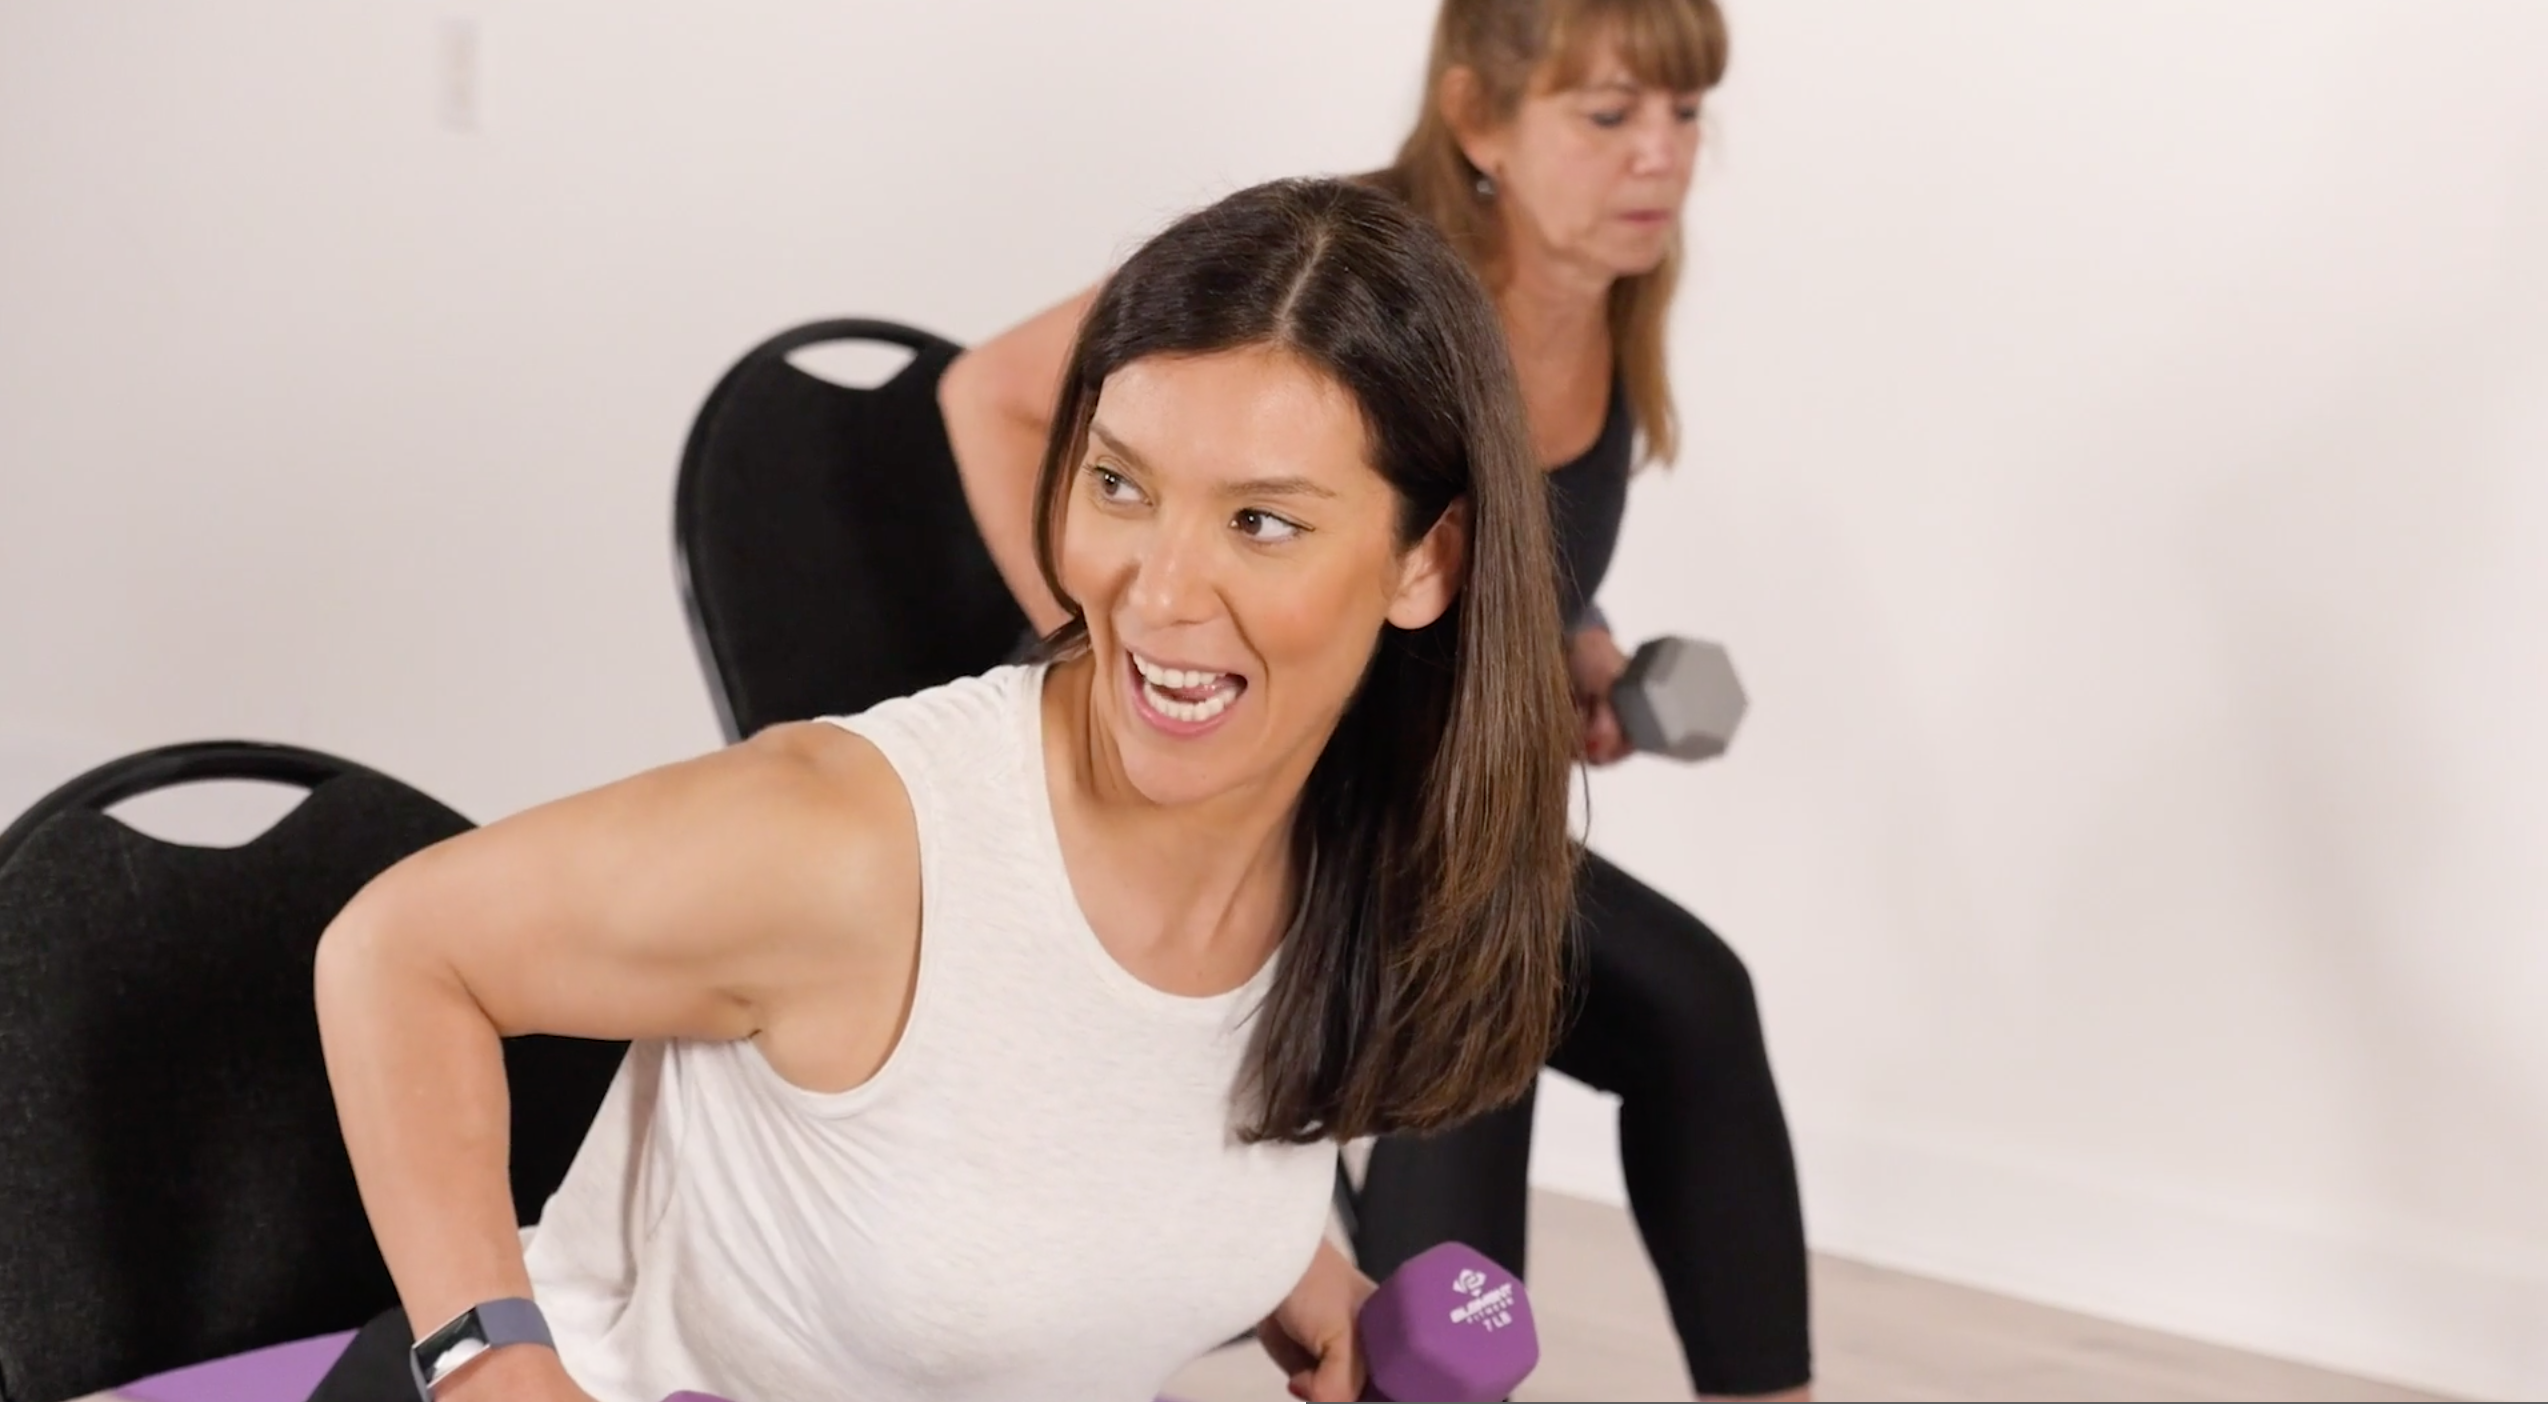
[[1877, 1336]]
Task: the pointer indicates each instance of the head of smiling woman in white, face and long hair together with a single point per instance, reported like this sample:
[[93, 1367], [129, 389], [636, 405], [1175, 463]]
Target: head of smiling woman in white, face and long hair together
[[1306, 552]]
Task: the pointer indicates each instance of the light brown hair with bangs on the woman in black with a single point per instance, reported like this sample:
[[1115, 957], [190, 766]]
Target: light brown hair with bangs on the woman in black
[[1517, 47]]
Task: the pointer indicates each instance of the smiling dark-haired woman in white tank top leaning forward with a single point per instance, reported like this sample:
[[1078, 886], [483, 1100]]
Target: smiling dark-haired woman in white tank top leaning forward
[[998, 1041]]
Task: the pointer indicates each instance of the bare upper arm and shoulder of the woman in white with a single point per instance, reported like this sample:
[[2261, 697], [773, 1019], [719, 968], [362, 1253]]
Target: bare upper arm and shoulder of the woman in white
[[694, 901]]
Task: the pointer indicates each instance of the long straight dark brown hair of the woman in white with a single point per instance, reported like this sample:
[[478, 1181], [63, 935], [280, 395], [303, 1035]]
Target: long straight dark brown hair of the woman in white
[[1421, 980]]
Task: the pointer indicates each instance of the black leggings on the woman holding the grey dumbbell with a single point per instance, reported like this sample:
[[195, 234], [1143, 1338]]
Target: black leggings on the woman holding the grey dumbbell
[[1665, 1021]]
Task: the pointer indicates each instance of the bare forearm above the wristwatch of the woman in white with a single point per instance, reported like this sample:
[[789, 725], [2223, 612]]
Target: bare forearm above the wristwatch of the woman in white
[[419, 1079]]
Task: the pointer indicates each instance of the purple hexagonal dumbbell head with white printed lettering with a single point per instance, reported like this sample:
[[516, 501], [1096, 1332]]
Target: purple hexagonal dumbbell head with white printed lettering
[[1449, 1326]]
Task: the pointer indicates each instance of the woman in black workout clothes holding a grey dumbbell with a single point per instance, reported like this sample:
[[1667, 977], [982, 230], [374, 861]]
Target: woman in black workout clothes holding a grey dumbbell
[[1556, 152]]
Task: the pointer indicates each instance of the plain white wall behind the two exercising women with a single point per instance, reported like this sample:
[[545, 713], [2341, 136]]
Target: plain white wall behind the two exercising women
[[2116, 437]]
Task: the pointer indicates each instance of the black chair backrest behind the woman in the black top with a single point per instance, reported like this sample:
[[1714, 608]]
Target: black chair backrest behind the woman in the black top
[[824, 544]]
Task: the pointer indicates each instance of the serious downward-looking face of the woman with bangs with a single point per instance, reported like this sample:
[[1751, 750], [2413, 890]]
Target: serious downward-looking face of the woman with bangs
[[1596, 175]]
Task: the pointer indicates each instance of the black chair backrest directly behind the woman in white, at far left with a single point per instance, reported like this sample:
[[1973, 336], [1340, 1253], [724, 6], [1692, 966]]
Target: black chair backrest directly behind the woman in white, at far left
[[172, 1176]]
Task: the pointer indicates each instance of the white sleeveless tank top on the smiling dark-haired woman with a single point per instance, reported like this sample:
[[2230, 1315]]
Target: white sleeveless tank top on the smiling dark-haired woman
[[1038, 1196]]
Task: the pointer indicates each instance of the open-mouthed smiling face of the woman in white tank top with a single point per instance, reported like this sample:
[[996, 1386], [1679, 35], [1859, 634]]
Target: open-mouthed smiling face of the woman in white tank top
[[1237, 557]]
